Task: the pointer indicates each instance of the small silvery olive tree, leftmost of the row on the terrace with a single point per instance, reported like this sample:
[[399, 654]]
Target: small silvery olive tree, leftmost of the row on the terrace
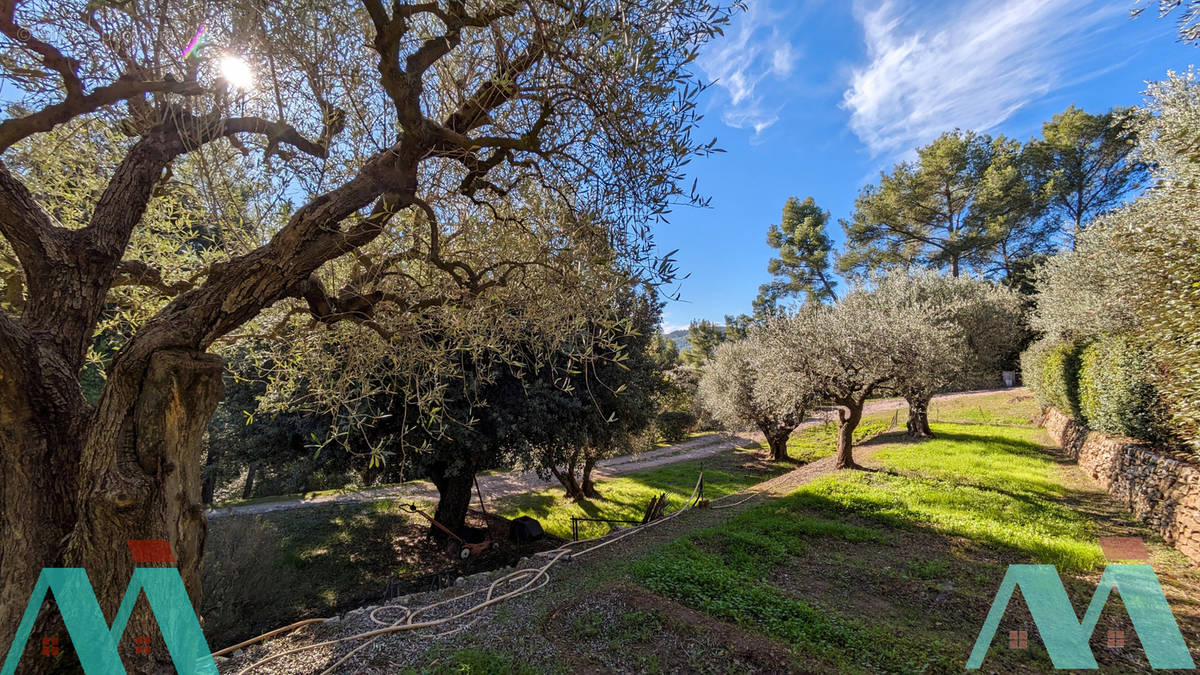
[[735, 393]]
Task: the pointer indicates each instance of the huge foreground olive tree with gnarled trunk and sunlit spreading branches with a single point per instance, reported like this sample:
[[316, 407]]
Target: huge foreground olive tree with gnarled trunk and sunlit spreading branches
[[419, 157]]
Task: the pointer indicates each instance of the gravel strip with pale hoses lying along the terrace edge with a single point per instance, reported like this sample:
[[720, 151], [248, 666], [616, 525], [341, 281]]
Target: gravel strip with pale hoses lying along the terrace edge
[[515, 625]]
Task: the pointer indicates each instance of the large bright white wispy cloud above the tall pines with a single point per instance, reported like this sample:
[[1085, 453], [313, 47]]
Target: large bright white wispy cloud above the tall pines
[[973, 68]]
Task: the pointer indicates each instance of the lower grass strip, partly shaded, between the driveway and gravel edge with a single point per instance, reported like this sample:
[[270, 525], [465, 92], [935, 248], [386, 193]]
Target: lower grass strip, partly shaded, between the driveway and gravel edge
[[266, 571]]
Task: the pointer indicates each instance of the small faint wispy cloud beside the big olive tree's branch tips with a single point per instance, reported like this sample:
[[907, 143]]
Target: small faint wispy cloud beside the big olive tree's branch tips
[[752, 51]]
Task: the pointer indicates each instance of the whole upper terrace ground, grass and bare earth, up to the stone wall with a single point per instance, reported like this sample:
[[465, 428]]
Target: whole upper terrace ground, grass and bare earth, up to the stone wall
[[891, 571]]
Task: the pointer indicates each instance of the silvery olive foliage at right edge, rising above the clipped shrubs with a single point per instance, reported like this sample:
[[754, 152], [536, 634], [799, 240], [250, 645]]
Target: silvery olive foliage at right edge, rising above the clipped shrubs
[[1136, 271]]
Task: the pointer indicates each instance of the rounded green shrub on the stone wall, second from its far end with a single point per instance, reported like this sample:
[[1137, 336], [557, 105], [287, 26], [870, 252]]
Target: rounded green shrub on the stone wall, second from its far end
[[1117, 395]]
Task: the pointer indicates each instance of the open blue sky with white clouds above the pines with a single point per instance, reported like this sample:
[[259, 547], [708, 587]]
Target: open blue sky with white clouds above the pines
[[817, 98]]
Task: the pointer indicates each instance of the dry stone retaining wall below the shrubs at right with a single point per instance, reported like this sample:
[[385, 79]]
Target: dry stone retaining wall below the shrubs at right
[[1161, 488]]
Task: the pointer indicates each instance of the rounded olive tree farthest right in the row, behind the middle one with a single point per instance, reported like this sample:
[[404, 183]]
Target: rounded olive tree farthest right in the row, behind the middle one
[[962, 330]]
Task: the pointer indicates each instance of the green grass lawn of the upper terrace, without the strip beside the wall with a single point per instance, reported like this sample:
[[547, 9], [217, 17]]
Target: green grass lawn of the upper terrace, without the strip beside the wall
[[847, 570]]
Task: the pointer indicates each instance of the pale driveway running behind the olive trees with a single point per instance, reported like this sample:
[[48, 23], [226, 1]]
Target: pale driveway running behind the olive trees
[[496, 486]]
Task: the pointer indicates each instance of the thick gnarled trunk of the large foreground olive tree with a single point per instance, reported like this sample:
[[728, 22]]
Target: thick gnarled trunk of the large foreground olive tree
[[143, 465]]
